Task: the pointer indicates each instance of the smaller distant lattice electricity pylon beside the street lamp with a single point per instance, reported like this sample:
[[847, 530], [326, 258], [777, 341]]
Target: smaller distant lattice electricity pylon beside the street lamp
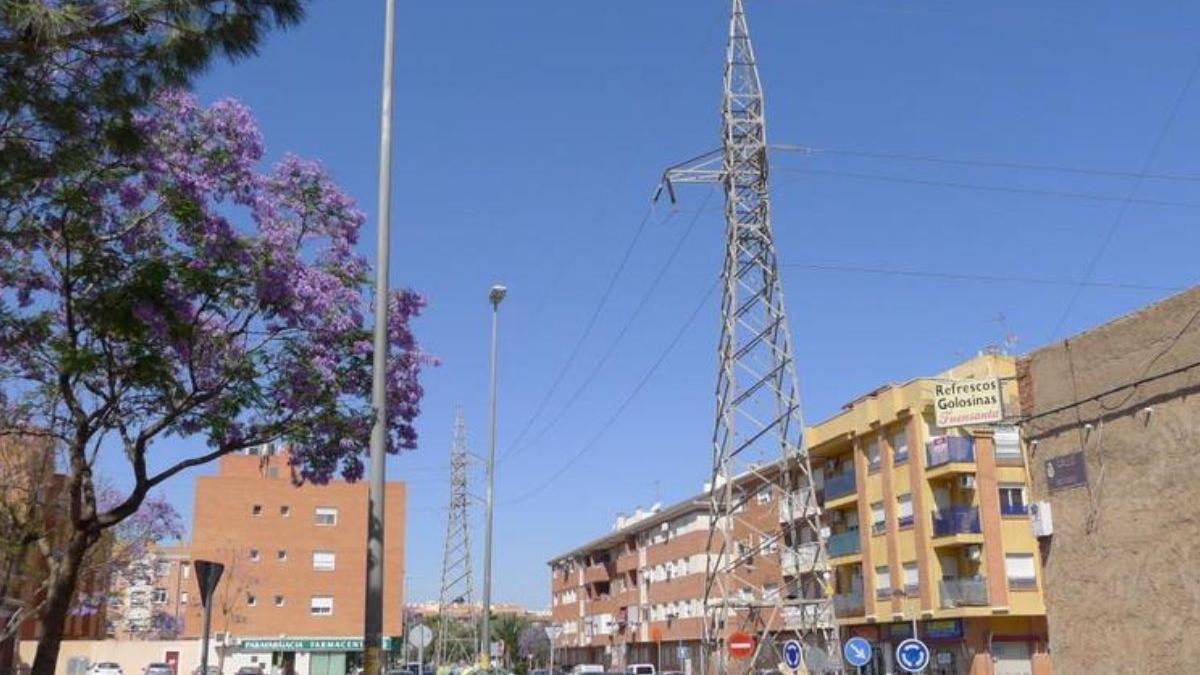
[[458, 636]]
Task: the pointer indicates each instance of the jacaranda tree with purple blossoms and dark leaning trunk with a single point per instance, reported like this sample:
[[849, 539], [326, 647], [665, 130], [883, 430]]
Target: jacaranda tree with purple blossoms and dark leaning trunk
[[170, 303]]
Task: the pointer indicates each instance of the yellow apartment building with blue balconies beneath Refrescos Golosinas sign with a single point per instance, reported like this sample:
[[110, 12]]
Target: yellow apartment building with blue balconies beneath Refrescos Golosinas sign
[[931, 528]]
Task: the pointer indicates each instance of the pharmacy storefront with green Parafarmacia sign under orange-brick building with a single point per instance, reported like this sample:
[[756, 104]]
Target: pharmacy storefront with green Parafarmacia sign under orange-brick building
[[303, 656]]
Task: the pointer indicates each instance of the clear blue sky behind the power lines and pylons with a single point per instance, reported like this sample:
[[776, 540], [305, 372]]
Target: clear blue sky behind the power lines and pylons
[[531, 136]]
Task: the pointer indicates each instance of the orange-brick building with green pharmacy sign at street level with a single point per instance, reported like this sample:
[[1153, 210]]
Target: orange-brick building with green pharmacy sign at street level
[[291, 599]]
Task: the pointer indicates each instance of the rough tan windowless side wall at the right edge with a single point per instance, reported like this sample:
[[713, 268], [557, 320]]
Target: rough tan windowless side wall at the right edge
[[1121, 568]]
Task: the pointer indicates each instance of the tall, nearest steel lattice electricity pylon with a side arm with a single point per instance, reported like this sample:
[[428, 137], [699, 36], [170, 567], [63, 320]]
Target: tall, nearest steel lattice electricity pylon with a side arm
[[759, 434]]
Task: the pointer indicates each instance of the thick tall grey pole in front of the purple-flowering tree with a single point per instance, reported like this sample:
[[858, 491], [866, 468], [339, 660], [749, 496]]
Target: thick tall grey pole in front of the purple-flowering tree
[[373, 624]]
